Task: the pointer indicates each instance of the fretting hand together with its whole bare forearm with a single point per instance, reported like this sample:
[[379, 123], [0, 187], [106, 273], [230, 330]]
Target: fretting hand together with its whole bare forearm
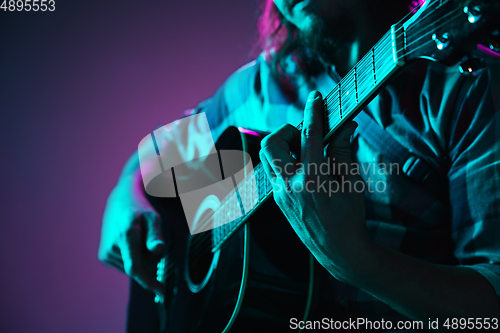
[[332, 226]]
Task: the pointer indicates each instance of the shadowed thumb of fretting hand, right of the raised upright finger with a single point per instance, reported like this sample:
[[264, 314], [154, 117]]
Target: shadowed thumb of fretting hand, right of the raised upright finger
[[340, 149]]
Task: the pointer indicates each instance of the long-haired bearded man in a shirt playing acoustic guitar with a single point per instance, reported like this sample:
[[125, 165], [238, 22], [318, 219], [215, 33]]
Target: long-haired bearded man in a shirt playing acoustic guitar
[[420, 249]]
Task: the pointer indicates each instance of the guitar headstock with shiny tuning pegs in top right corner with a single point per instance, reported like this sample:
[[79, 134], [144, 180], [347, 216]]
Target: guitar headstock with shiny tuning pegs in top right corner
[[448, 30]]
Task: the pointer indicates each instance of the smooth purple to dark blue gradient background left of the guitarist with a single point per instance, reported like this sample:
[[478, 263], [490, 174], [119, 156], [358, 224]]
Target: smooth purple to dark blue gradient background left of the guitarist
[[79, 88]]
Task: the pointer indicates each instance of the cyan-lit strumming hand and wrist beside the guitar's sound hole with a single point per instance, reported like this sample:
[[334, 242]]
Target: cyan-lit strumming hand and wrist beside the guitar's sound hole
[[131, 240]]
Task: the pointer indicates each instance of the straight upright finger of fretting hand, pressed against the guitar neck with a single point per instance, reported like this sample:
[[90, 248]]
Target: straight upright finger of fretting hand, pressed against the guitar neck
[[312, 131]]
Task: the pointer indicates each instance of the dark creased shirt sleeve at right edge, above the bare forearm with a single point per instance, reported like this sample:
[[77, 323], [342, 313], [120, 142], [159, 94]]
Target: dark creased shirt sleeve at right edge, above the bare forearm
[[474, 176]]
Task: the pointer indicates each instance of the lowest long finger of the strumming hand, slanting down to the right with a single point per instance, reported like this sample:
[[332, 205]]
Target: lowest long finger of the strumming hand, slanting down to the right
[[133, 265]]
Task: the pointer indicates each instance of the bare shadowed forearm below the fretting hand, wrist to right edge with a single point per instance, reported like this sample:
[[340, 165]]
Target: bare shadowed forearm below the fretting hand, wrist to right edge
[[420, 290]]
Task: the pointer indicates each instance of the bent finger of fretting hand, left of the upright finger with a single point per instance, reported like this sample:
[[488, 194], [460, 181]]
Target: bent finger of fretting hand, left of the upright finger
[[276, 147]]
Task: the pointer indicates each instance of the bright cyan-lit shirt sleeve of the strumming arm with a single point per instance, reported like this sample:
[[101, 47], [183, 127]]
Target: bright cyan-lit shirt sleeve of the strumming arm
[[188, 144]]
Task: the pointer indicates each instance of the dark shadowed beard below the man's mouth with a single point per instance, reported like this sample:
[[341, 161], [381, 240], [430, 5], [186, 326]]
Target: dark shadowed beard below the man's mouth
[[327, 37]]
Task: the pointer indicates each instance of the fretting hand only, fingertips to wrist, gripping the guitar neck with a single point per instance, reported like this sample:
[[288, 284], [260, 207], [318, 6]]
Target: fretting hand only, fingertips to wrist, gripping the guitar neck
[[324, 206]]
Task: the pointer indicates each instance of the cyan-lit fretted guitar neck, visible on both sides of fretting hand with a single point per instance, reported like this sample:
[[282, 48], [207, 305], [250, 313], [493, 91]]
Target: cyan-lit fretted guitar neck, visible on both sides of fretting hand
[[343, 103]]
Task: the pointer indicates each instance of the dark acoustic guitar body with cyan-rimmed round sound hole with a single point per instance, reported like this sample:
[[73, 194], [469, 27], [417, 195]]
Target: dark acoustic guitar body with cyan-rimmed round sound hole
[[257, 281]]
